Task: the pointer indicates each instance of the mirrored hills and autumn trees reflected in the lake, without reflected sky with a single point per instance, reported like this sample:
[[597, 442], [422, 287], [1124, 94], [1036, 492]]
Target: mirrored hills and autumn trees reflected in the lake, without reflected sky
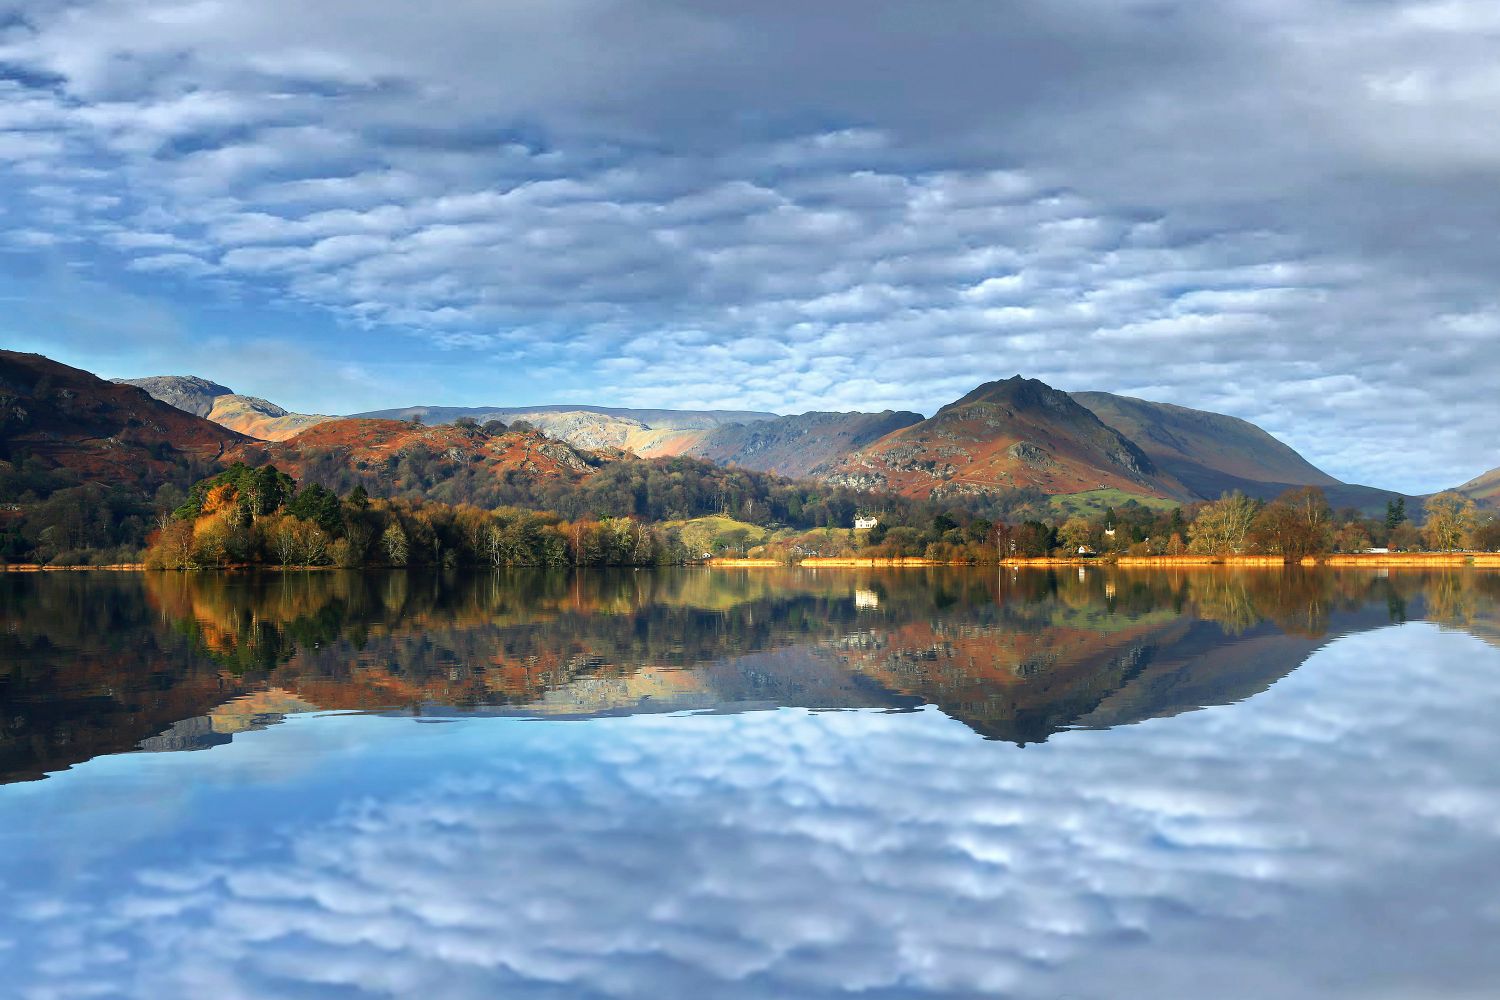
[[107, 663]]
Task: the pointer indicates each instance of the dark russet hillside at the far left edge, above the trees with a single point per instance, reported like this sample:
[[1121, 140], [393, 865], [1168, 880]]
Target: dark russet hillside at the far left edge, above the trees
[[64, 419]]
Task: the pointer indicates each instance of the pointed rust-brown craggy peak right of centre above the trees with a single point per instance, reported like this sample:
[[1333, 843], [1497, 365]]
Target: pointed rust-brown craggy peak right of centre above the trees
[[1007, 436]]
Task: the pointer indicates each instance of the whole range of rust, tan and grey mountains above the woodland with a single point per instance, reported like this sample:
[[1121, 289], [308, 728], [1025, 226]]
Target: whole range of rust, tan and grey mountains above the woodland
[[1012, 434]]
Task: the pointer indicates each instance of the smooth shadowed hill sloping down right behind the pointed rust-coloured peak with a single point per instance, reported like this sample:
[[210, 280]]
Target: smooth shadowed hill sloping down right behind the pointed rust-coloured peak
[[1214, 454]]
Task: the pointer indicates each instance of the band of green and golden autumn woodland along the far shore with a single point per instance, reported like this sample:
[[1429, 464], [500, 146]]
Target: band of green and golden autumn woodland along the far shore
[[629, 512]]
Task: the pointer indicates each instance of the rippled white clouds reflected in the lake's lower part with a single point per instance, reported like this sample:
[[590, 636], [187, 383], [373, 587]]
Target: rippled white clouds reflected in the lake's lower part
[[1322, 840]]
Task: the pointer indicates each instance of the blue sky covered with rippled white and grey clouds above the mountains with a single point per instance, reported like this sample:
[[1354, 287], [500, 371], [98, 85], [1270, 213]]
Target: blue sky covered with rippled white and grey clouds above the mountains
[[1285, 211]]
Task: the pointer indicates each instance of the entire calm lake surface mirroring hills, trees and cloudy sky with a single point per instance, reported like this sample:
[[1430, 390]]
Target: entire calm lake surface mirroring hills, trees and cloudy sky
[[760, 783]]
